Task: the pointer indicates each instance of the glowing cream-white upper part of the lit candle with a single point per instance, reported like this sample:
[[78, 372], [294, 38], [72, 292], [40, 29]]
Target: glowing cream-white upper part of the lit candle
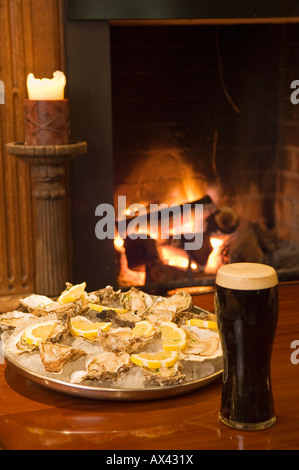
[[45, 88]]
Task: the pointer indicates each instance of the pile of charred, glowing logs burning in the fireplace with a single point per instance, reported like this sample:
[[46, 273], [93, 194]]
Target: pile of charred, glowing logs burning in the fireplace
[[161, 260]]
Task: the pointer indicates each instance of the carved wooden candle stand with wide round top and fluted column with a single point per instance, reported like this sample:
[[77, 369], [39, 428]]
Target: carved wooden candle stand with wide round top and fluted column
[[47, 164]]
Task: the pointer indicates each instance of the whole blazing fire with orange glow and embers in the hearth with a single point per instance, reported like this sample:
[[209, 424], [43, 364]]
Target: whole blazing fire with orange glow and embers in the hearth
[[164, 178]]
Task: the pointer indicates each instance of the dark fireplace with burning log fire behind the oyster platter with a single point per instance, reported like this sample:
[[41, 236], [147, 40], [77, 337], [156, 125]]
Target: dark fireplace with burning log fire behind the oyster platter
[[184, 113]]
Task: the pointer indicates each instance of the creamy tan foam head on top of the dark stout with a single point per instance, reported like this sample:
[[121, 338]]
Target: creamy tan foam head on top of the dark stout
[[246, 276]]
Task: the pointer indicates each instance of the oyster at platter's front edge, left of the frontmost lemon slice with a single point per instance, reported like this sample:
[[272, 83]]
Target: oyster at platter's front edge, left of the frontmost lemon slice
[[106, 366]]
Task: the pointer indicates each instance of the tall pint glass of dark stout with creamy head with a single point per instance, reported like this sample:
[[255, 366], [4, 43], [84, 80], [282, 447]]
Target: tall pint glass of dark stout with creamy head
[[246, 305]]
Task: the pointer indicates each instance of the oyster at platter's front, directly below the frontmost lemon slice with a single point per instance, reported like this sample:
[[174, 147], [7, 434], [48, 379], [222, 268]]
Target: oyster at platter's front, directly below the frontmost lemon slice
[[165, 376]]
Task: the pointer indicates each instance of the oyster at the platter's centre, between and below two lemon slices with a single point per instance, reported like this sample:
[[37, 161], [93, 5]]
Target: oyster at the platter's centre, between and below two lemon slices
[[123, 339]]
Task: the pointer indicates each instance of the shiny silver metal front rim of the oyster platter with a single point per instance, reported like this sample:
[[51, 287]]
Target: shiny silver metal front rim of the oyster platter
[[118, 394]]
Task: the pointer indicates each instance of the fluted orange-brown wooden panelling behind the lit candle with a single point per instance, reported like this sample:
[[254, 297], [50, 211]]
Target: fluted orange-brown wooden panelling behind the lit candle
[[31, 40]]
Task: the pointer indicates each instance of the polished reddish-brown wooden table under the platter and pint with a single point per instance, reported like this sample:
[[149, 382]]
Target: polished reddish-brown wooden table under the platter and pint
[[32, 417]]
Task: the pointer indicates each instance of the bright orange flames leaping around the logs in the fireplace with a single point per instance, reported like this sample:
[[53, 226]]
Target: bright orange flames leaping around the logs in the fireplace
[[164, 176]]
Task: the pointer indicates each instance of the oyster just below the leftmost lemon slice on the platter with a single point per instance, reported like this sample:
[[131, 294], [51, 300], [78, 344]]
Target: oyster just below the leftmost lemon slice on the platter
[[55, 356]]
